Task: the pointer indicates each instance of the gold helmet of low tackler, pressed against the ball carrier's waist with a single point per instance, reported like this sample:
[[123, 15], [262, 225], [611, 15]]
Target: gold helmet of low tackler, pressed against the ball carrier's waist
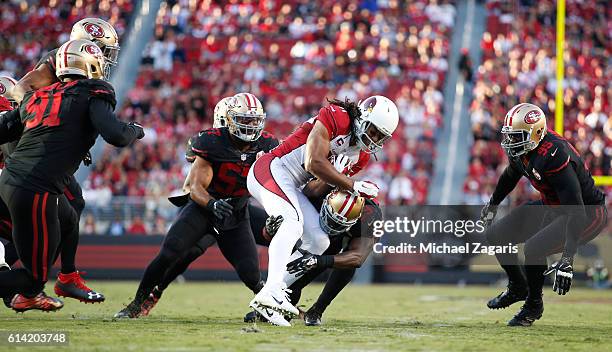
[[340, 211]]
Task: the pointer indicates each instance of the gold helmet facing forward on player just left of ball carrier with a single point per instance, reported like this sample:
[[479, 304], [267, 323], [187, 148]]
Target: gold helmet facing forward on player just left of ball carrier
[[246, 117]]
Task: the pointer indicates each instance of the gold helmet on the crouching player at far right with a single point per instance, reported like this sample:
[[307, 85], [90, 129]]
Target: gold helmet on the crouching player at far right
[[524, 127]]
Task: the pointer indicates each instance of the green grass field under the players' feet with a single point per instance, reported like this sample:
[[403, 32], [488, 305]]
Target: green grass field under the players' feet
[[208, 316]]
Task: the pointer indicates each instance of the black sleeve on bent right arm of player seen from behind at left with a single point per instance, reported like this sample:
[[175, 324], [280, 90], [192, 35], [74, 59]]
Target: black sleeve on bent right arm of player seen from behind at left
[[115, 132]]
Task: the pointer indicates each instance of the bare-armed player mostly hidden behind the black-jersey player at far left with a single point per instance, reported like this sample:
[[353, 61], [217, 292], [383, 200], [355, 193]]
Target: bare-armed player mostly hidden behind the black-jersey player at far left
[[69, 282]]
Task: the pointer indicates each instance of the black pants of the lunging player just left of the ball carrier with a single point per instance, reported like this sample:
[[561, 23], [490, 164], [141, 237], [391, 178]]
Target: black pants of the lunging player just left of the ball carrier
[[192, 224]]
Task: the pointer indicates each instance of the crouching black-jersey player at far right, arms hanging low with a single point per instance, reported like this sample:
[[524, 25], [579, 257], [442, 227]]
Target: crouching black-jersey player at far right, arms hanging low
[[571, 211]]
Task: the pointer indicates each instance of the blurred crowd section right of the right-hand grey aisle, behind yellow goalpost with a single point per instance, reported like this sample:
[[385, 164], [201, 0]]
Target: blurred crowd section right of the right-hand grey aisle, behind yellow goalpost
[[518, 65]]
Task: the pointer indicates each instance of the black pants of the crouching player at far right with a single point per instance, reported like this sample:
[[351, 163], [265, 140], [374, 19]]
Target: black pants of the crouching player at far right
[[542, 230]]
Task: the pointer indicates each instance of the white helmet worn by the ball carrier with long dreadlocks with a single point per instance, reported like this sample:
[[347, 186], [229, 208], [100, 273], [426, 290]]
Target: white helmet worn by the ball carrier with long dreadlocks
[[379, 119]]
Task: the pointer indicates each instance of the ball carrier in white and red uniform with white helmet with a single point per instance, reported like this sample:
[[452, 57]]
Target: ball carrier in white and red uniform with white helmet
[[276, 179]]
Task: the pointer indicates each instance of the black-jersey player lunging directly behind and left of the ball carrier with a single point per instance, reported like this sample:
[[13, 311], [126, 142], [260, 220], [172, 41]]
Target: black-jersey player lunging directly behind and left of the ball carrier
[[218, 200]]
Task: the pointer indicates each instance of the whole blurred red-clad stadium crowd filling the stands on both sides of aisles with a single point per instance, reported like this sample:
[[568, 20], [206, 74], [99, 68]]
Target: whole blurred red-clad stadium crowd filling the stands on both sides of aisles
[[292, 55]]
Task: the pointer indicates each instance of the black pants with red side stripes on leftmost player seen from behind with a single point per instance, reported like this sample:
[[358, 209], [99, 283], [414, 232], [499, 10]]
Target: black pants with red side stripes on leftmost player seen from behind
[[36, 235]]
